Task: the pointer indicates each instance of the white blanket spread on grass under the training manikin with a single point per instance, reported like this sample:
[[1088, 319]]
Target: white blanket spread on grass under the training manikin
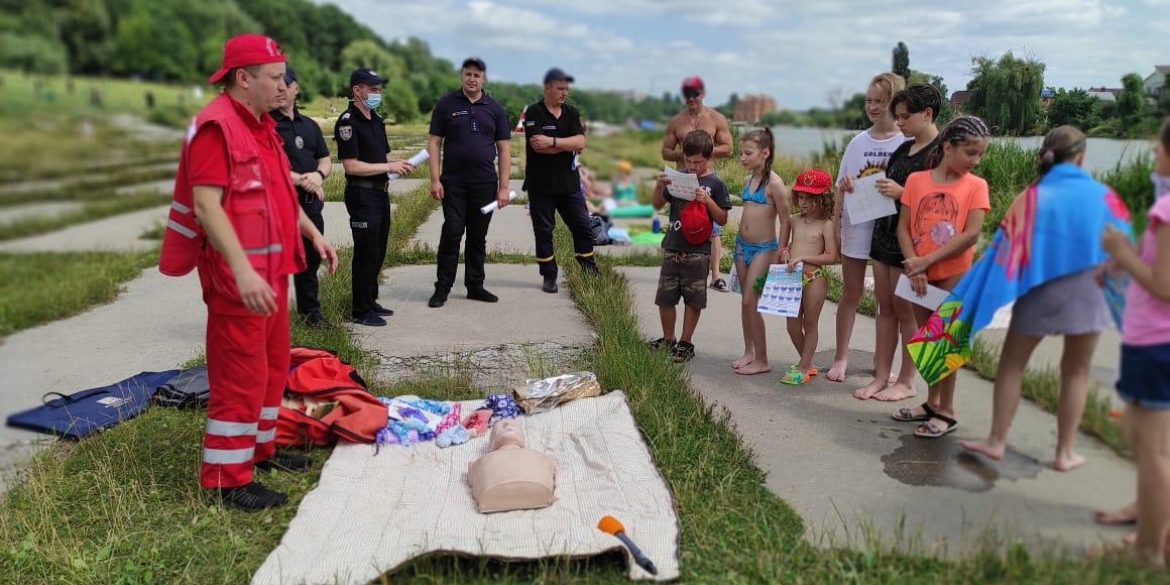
[[371, 514]]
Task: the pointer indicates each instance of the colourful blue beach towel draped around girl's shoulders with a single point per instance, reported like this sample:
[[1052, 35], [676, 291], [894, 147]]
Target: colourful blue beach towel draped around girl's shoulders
[[1052, 230]]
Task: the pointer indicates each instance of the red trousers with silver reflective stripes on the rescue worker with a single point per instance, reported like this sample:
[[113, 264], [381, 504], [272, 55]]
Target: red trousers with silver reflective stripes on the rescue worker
[[247, 371]]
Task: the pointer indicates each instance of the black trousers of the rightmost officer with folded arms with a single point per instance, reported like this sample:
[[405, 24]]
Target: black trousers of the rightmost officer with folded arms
[[572, 208]]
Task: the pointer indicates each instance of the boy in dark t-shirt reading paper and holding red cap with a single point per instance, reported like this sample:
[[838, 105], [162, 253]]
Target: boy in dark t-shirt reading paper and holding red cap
[[686, 265]]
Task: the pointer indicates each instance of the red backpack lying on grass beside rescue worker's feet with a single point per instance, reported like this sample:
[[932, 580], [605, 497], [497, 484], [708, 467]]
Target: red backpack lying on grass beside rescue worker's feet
[[326, 401]]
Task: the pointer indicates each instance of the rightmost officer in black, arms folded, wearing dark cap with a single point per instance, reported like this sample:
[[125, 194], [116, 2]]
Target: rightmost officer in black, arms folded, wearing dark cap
[[554, 136]]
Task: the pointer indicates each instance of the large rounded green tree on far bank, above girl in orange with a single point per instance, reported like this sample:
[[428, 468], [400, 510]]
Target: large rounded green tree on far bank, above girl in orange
[[1007, 93]]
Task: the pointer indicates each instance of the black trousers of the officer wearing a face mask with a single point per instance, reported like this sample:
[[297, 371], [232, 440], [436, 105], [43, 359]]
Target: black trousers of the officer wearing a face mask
[[370, 223]]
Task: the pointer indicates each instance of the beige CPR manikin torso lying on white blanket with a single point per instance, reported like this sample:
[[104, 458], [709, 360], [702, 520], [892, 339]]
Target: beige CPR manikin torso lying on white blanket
[[512, 477]]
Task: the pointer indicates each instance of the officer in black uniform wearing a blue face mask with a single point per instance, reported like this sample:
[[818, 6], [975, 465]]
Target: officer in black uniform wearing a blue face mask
[[364, 152]]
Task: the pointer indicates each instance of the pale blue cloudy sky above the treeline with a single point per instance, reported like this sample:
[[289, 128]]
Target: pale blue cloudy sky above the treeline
[[800, 52]]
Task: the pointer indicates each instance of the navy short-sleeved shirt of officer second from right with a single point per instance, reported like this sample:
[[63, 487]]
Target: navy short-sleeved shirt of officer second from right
[[470, 133]]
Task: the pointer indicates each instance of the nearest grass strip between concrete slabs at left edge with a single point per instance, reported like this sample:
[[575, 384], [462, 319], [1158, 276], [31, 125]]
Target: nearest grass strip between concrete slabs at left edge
[[43, 287]]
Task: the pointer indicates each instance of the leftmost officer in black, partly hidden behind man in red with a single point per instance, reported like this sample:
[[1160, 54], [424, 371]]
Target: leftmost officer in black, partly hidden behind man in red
[[309, 161]]
